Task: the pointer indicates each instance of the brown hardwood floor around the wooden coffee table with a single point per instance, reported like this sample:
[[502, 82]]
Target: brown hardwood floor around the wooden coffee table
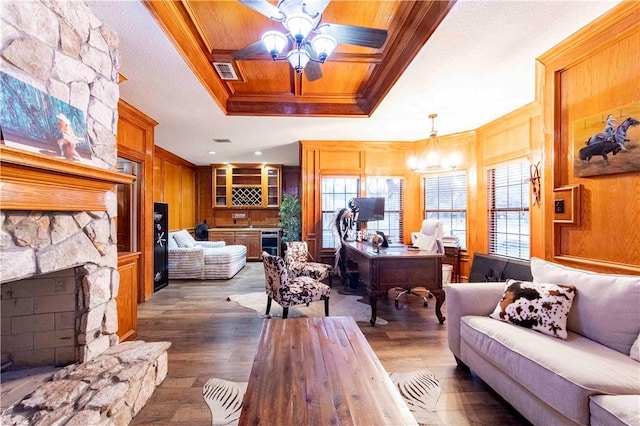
[[213, 337]]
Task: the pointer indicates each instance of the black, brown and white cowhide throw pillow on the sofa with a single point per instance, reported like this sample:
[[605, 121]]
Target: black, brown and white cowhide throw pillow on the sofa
[[541, 307]]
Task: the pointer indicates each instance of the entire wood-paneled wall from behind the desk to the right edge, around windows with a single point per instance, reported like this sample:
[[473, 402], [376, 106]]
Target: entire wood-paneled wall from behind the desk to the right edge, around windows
[[595, 70]]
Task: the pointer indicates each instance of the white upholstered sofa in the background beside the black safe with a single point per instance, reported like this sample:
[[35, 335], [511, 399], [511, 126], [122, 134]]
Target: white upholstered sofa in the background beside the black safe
[[203, 260]]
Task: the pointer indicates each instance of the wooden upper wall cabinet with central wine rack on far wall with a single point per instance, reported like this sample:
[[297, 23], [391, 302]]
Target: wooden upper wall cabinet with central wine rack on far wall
[[246, 185]]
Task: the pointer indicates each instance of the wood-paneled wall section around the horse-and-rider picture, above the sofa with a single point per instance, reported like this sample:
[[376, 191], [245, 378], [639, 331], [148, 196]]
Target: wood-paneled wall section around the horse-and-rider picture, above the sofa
[[593, 72]]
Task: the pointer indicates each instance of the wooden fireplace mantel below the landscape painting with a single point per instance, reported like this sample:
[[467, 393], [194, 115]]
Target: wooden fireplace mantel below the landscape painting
[[31, 181]]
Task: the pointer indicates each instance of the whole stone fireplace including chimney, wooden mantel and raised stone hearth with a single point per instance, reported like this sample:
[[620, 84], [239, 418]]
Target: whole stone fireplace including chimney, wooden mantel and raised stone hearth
[[58, 255]]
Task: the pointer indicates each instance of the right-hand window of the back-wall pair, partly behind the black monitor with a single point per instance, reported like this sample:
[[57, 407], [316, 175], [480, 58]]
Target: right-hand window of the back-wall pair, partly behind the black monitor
[[391, 190]]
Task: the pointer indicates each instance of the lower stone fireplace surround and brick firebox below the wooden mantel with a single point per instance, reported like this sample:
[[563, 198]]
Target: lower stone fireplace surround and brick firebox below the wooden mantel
[[66, 310]]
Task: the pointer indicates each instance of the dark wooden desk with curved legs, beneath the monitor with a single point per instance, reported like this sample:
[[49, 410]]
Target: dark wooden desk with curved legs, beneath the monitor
[[396, 267]]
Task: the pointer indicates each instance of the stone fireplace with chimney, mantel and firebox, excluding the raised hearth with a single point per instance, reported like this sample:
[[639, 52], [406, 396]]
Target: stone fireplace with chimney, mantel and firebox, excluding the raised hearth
[[57, 214]]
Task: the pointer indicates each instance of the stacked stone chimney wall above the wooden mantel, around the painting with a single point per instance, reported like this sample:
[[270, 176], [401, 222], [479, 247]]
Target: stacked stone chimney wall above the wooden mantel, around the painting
[[61, 48]]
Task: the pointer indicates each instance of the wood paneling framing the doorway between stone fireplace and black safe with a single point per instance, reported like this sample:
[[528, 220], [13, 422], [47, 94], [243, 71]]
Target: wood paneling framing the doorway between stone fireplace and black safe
[[135, 143]]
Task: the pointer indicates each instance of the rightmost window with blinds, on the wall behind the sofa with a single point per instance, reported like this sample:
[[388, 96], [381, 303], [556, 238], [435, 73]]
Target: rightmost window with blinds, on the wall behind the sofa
[[508, 202]]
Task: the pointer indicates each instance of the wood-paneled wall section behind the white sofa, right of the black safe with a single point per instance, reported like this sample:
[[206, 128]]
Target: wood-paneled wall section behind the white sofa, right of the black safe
[[175, 184]]
